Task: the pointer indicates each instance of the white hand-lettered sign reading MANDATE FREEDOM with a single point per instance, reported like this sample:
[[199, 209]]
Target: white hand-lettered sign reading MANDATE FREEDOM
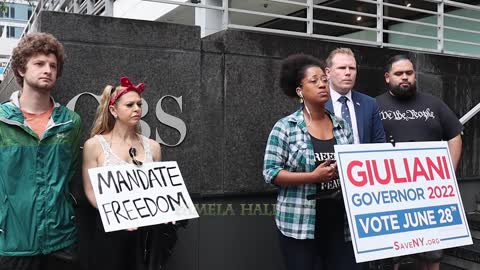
[[131, 196]]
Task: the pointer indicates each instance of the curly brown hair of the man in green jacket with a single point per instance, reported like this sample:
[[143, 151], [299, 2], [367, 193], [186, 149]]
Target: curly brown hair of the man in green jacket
[[32, 44]]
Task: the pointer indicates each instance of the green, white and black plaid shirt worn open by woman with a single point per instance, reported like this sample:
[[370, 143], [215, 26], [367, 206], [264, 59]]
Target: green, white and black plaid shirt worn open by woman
[[289, 147]]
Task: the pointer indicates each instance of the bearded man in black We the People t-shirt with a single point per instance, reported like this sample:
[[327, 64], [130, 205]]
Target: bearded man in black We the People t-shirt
[[408, 115]]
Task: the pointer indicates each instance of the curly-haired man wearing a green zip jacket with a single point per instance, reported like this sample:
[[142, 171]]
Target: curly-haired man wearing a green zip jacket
[[39, 141]]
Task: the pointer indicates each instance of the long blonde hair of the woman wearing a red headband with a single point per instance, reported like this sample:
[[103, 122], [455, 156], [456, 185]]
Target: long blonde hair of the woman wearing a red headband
[[104, 120]]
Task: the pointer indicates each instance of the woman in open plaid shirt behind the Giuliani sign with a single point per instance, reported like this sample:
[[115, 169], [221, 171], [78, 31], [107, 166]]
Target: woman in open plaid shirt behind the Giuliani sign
[[299, 160]]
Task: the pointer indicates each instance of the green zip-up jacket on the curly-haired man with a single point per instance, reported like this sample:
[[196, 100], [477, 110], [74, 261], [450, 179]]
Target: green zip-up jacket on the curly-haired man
[[36, 211]]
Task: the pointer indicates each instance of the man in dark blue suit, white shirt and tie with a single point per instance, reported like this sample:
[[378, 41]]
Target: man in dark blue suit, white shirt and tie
[[359, 110]]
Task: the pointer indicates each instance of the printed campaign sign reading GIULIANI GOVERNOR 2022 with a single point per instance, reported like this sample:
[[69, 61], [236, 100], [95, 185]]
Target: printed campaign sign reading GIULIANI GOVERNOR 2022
[[401, 199]]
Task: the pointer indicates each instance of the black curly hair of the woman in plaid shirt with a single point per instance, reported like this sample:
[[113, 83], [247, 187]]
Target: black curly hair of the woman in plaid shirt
[[293, 70]]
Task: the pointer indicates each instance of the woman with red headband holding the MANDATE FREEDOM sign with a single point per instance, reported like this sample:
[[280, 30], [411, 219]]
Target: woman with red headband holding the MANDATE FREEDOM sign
[[115, 139]]
